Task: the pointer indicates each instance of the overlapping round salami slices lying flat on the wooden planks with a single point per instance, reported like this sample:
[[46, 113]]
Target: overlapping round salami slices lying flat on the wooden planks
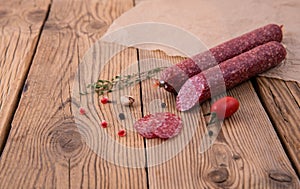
[[163, 125]]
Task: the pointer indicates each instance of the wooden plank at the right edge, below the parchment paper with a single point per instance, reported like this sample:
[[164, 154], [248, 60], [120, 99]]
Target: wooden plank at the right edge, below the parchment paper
[[282, 101]]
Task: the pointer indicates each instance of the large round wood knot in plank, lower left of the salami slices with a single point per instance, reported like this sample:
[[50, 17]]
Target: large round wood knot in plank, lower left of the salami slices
[[69, 141]]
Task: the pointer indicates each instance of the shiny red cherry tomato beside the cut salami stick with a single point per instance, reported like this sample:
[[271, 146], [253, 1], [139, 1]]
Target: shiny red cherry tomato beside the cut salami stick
[[225, 107]]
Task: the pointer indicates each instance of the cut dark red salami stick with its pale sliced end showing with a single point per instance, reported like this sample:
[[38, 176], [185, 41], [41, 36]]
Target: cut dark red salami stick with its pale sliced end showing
[[232, 72]]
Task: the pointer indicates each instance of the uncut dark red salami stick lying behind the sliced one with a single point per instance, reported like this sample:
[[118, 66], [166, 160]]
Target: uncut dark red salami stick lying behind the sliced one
[[175, 76]]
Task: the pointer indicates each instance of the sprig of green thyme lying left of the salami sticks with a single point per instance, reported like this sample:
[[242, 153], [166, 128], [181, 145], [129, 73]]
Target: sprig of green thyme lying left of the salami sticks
[[119, 82]]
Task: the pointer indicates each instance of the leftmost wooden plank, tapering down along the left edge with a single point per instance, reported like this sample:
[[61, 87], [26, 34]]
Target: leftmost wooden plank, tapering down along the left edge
[[20, 25]]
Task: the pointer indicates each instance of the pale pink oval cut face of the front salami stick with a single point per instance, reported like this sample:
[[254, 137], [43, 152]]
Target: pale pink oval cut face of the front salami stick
[[190, 93]]
